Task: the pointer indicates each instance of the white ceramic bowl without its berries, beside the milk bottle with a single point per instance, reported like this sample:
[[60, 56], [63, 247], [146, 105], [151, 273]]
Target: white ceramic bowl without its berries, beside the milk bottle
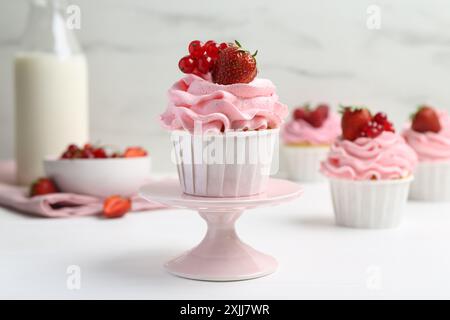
[[99, 177]]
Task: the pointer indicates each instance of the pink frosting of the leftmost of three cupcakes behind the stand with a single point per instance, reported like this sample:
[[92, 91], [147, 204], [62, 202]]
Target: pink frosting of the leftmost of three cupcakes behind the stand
[[300, 131]]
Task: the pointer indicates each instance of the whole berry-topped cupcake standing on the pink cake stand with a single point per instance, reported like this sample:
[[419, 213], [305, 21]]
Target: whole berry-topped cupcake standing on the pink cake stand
[[224, 121]]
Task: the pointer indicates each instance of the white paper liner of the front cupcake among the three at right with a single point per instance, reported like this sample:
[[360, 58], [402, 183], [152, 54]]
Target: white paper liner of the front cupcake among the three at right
[[369, 204]]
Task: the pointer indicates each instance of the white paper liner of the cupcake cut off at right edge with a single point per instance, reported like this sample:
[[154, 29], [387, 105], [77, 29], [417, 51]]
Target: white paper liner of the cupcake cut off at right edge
[[431, 182]]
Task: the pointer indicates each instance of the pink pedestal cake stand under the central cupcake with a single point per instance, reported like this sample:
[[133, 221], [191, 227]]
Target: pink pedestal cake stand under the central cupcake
[[221, 255]]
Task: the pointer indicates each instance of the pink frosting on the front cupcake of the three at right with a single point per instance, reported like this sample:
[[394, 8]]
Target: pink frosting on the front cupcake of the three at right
[[384, 157]]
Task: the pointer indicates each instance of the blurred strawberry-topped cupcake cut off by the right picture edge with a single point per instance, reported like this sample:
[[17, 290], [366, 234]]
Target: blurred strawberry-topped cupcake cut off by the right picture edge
[[429, 135]]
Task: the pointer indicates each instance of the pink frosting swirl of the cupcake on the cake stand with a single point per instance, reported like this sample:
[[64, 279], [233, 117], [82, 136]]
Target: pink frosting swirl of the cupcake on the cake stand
[[240, 106]]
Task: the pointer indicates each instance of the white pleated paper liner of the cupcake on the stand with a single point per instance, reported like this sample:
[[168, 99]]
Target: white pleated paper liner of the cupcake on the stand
[[235, 164]]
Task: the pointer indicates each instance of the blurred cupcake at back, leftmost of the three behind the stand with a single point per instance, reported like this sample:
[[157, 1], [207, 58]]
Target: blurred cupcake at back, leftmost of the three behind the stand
[[307, 139]]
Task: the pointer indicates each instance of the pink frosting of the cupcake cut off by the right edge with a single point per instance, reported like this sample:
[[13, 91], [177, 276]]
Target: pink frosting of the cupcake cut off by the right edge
[[431, 146]]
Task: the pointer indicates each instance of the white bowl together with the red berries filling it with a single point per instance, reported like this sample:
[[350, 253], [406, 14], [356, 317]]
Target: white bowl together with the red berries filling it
[[96, 171]]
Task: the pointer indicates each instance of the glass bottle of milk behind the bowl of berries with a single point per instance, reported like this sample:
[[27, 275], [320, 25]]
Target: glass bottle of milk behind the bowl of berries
[[51, 89]]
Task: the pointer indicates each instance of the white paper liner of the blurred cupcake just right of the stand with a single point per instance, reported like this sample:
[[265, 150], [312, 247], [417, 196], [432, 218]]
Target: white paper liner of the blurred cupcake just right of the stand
[[303, 163]]
